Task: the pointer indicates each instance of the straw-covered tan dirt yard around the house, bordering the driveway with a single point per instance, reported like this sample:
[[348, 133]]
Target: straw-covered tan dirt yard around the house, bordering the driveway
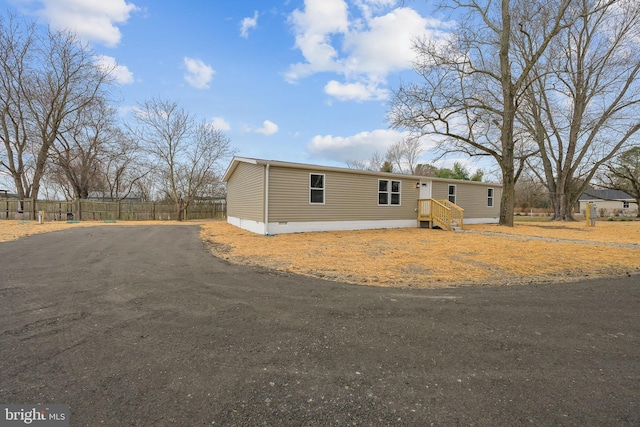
[[482, 255]]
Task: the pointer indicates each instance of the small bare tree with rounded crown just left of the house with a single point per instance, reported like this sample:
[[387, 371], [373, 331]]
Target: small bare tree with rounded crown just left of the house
[[186, 153]]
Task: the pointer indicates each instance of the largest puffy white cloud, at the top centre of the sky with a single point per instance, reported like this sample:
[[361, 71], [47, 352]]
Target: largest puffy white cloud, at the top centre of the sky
[[363, 44]]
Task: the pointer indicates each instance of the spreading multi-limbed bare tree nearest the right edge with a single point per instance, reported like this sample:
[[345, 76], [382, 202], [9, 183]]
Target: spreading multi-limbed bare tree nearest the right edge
[[583, 105]]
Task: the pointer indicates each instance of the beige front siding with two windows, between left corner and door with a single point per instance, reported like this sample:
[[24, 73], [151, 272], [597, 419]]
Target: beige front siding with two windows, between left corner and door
[[348, 197]]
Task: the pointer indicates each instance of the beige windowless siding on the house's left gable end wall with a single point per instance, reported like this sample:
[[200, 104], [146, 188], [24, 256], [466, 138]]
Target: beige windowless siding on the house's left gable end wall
[[245, 192]]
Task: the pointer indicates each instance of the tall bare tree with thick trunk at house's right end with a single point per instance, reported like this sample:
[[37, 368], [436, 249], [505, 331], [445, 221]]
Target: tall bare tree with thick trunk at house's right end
[[472, 83]]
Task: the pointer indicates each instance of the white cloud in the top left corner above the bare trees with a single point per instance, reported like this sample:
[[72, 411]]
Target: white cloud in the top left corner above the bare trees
[[91, 20]]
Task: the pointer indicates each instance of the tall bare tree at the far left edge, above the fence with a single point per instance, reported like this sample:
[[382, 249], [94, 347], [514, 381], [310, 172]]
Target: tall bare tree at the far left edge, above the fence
[[45, 76]]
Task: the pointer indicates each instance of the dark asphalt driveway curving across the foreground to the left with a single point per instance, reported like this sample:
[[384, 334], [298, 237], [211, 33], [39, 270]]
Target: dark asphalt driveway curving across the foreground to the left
[[142, 326]]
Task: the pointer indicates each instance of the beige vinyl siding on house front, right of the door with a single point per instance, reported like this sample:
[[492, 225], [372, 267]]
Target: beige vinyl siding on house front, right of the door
[[472, 197]]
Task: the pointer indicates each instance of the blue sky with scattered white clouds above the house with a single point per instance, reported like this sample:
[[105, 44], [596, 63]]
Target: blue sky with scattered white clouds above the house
[[293, 80]]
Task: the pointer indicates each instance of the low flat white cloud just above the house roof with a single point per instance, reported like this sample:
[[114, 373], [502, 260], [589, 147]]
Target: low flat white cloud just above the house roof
[[356, 147]]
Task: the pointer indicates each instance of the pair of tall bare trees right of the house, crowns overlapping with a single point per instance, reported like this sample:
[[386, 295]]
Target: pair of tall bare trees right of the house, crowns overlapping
[[544, 87]]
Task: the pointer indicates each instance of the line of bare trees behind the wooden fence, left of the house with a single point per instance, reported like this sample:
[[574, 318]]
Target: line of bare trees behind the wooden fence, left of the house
[[60, 128]]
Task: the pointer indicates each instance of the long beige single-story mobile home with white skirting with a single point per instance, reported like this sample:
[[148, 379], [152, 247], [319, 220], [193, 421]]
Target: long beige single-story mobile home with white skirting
[[272, 197]]
